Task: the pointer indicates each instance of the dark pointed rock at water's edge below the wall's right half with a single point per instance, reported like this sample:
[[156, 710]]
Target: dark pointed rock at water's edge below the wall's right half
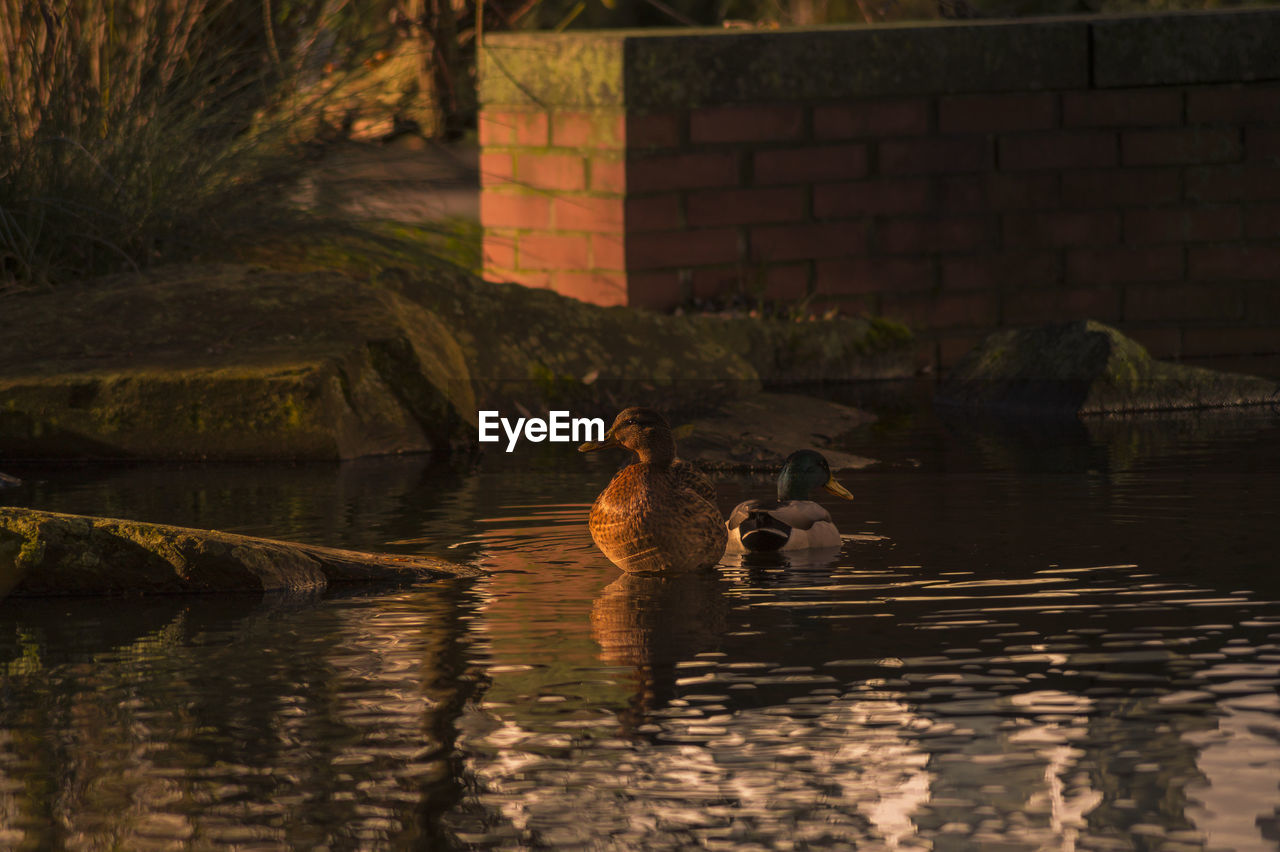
[[1086, 368]]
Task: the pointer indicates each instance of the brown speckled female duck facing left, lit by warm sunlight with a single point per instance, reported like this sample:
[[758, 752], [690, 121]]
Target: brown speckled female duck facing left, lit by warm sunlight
[[657, 515]]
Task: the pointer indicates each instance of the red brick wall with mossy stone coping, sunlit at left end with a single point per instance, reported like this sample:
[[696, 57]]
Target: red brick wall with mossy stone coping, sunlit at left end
[[957, 177]]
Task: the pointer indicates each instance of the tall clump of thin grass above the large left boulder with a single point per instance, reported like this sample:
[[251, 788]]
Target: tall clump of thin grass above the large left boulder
[[138, 131]]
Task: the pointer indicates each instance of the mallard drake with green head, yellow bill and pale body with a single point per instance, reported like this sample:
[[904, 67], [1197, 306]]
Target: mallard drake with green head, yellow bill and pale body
[[792, 523]]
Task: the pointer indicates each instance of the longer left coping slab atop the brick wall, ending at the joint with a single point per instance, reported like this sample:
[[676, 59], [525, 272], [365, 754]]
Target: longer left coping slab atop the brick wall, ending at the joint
[[659, 70]]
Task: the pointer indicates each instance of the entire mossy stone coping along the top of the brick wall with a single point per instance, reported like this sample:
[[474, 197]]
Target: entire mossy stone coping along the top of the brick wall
[[659, 70]]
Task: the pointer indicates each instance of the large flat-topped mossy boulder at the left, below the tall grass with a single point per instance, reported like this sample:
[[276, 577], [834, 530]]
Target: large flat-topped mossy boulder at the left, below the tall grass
[[228, 361]]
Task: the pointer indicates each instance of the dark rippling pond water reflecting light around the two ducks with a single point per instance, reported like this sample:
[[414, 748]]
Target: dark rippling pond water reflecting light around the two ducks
[[1031, 640]]
